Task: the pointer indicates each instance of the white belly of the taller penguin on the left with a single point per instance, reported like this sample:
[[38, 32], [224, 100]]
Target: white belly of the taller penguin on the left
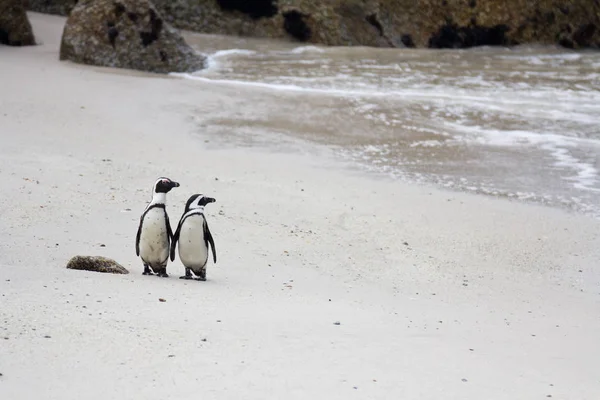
[[154, 239]]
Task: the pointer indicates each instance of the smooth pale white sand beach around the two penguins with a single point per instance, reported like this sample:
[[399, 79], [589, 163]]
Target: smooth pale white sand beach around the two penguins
[[302, 243]]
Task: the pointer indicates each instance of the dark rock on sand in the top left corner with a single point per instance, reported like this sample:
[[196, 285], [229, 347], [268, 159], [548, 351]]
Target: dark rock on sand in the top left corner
[[15, 29]]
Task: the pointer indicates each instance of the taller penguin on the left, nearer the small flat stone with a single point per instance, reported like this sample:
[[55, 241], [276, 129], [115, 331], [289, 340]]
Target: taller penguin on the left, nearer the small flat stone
[[154, 233]]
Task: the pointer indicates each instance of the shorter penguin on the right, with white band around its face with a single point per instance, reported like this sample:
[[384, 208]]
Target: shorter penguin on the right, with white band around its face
[[194, 237]]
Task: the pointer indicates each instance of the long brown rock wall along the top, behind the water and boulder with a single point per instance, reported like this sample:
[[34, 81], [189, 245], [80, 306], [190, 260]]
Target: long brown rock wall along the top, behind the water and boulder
[[389, 23]]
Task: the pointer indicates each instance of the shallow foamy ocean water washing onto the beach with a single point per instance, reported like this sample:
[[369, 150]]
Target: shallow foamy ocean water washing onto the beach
[[521, 123]]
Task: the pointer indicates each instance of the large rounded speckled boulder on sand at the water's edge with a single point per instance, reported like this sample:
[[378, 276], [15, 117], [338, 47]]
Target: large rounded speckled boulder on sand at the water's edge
[[126, 34]]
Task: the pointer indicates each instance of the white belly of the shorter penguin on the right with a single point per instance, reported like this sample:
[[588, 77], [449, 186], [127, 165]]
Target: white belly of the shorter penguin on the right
[[193, 251]]
